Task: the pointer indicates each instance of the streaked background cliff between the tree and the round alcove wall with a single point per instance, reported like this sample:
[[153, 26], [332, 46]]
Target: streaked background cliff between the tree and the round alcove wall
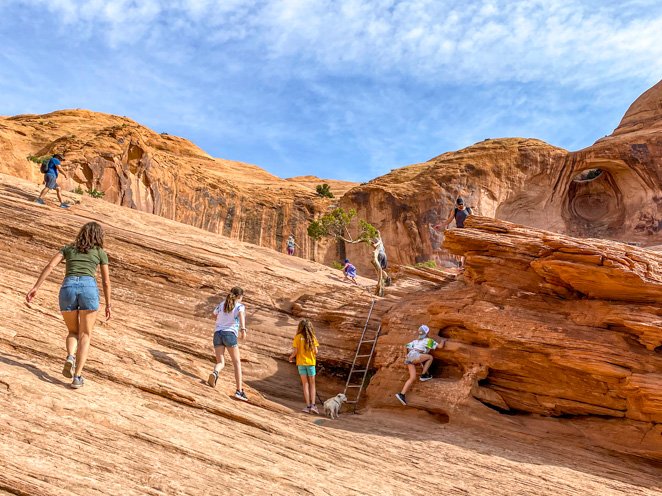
[[408, 203]]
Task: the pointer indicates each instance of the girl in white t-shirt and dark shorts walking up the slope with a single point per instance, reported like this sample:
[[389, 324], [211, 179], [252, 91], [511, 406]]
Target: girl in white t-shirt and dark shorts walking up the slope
[[230, 321]]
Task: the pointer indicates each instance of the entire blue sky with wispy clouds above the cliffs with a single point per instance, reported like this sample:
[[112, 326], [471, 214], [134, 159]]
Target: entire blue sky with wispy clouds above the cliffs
[[339, 89]]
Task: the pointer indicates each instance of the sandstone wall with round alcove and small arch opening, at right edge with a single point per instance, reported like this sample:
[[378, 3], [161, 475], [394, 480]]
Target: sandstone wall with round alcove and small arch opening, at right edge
[[622, 203]]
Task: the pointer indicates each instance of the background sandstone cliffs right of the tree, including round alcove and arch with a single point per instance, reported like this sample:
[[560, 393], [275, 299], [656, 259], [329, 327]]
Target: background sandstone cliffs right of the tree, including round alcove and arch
[[528, 182]]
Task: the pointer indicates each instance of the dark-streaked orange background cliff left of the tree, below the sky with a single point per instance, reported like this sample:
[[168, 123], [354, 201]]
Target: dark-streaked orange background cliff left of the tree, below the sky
[[165, 175]]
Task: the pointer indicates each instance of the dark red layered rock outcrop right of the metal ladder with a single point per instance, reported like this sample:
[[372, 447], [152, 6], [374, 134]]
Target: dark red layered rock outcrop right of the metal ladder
[[540, 324]]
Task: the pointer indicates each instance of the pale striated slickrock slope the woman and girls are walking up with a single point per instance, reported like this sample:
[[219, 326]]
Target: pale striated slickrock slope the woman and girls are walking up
[[146, 422]]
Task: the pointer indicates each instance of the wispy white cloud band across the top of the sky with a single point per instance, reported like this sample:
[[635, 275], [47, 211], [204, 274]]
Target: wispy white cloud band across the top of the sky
[[566, 41]]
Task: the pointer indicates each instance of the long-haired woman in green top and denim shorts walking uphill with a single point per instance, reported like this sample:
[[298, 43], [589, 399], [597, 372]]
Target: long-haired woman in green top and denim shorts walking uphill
[[79, 295]]
